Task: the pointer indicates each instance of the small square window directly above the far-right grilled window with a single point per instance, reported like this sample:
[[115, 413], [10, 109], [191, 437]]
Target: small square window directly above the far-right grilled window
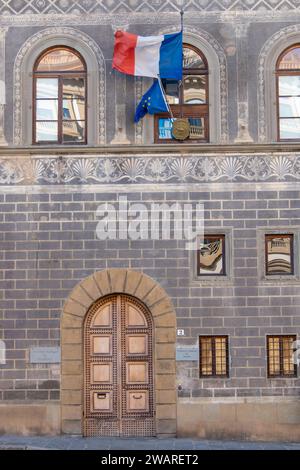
[[279, 253]]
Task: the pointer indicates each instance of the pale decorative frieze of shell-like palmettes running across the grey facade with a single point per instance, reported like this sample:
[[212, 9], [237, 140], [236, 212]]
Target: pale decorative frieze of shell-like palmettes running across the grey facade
[[153, 168]]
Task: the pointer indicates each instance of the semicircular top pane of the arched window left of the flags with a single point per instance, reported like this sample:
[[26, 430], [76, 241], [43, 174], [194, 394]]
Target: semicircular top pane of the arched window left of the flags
[[60, 60]]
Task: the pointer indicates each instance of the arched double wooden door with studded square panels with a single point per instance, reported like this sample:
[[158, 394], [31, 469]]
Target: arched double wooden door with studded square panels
[[118, 369]]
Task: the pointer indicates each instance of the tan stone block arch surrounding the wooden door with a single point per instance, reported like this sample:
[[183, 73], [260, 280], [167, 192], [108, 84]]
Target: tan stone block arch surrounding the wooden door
[[154, 297]]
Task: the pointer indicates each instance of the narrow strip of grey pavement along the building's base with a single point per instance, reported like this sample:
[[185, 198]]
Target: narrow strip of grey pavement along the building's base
[[92, 443]]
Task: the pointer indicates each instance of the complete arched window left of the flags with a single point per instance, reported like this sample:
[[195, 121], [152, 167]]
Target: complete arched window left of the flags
[[59, 111]]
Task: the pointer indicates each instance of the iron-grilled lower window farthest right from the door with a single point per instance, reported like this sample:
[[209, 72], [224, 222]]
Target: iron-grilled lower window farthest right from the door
[[280, 356]]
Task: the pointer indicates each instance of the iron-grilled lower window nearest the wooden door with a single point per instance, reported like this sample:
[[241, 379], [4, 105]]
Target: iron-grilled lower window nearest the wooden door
[[214, 356]]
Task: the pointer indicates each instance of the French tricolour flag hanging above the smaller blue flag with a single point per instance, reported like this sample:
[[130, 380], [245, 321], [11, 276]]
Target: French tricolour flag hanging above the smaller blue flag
[[148, 56]]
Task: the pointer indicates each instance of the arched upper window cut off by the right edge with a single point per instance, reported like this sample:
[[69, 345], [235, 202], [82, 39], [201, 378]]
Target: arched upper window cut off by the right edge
[[288, 94]]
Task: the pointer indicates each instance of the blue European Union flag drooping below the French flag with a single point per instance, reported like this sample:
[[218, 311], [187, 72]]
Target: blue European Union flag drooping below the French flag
[[153, 102]]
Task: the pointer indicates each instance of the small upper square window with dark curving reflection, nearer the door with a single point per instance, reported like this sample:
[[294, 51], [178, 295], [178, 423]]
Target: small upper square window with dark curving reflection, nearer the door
[[211, 256]]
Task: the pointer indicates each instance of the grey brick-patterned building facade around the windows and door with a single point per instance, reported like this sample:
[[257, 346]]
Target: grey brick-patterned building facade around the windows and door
[[54, 269]]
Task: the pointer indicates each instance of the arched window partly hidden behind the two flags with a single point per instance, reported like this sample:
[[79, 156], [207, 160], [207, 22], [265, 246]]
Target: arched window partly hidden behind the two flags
[[187, 98]]
